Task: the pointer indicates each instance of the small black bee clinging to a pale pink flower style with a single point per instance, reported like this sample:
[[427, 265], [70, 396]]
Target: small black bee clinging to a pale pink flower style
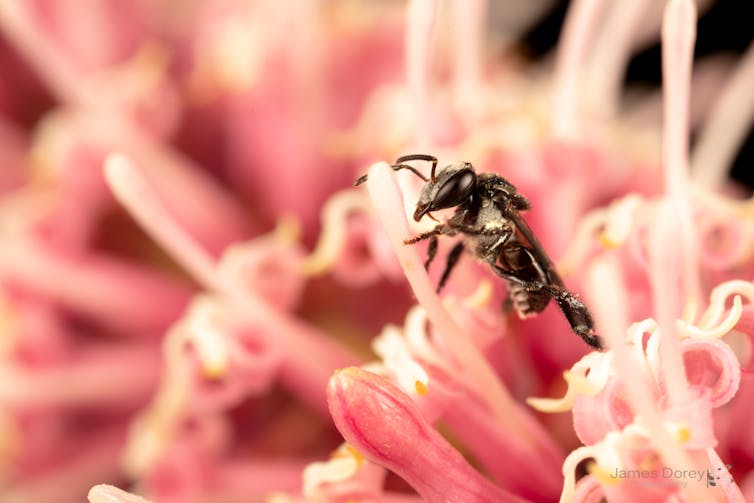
[[487, 215]]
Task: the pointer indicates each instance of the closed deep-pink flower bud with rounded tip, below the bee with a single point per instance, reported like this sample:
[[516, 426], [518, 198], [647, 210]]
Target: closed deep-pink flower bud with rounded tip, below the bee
[[384, 425]]
